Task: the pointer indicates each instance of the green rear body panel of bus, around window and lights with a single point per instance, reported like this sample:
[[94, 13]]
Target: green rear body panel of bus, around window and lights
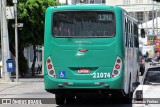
[[100, 56]]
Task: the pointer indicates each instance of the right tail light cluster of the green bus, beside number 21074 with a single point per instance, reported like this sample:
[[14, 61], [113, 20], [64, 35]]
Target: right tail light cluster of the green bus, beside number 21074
[[117, 67]]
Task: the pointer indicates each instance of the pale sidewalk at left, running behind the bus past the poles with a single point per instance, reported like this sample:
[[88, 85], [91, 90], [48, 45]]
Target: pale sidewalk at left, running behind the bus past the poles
[[28, 78]]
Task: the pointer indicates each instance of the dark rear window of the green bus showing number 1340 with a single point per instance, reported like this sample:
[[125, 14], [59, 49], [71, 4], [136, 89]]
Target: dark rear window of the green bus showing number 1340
[[83, 24]]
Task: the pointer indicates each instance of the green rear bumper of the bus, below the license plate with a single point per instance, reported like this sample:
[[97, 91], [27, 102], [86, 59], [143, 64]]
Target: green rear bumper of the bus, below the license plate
[[111, 83]]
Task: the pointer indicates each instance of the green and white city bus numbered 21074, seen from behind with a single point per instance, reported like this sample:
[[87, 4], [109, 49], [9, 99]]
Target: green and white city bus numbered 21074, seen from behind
[[89, 48]]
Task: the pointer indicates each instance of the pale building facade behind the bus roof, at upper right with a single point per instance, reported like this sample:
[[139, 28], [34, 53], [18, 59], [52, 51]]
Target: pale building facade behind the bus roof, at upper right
[[143, 10]]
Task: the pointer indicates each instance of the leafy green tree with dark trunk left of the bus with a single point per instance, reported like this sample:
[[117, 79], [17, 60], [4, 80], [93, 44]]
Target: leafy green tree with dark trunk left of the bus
[[32, 14]]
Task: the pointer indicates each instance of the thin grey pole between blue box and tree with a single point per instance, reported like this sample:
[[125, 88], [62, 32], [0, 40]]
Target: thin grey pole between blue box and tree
[[16, 37]]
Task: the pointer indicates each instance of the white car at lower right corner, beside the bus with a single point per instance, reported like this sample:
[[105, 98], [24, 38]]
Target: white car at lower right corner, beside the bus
[[148, 92]]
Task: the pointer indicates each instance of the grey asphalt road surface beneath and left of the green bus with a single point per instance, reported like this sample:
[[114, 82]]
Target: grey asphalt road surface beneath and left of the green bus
[[34, 88]]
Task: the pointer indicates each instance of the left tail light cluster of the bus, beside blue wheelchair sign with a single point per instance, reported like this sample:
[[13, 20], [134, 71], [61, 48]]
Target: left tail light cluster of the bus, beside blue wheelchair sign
[[50, 67]]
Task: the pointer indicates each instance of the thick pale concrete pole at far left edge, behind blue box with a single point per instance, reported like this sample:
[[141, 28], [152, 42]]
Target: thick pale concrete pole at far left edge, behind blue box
[[4, 41]]
